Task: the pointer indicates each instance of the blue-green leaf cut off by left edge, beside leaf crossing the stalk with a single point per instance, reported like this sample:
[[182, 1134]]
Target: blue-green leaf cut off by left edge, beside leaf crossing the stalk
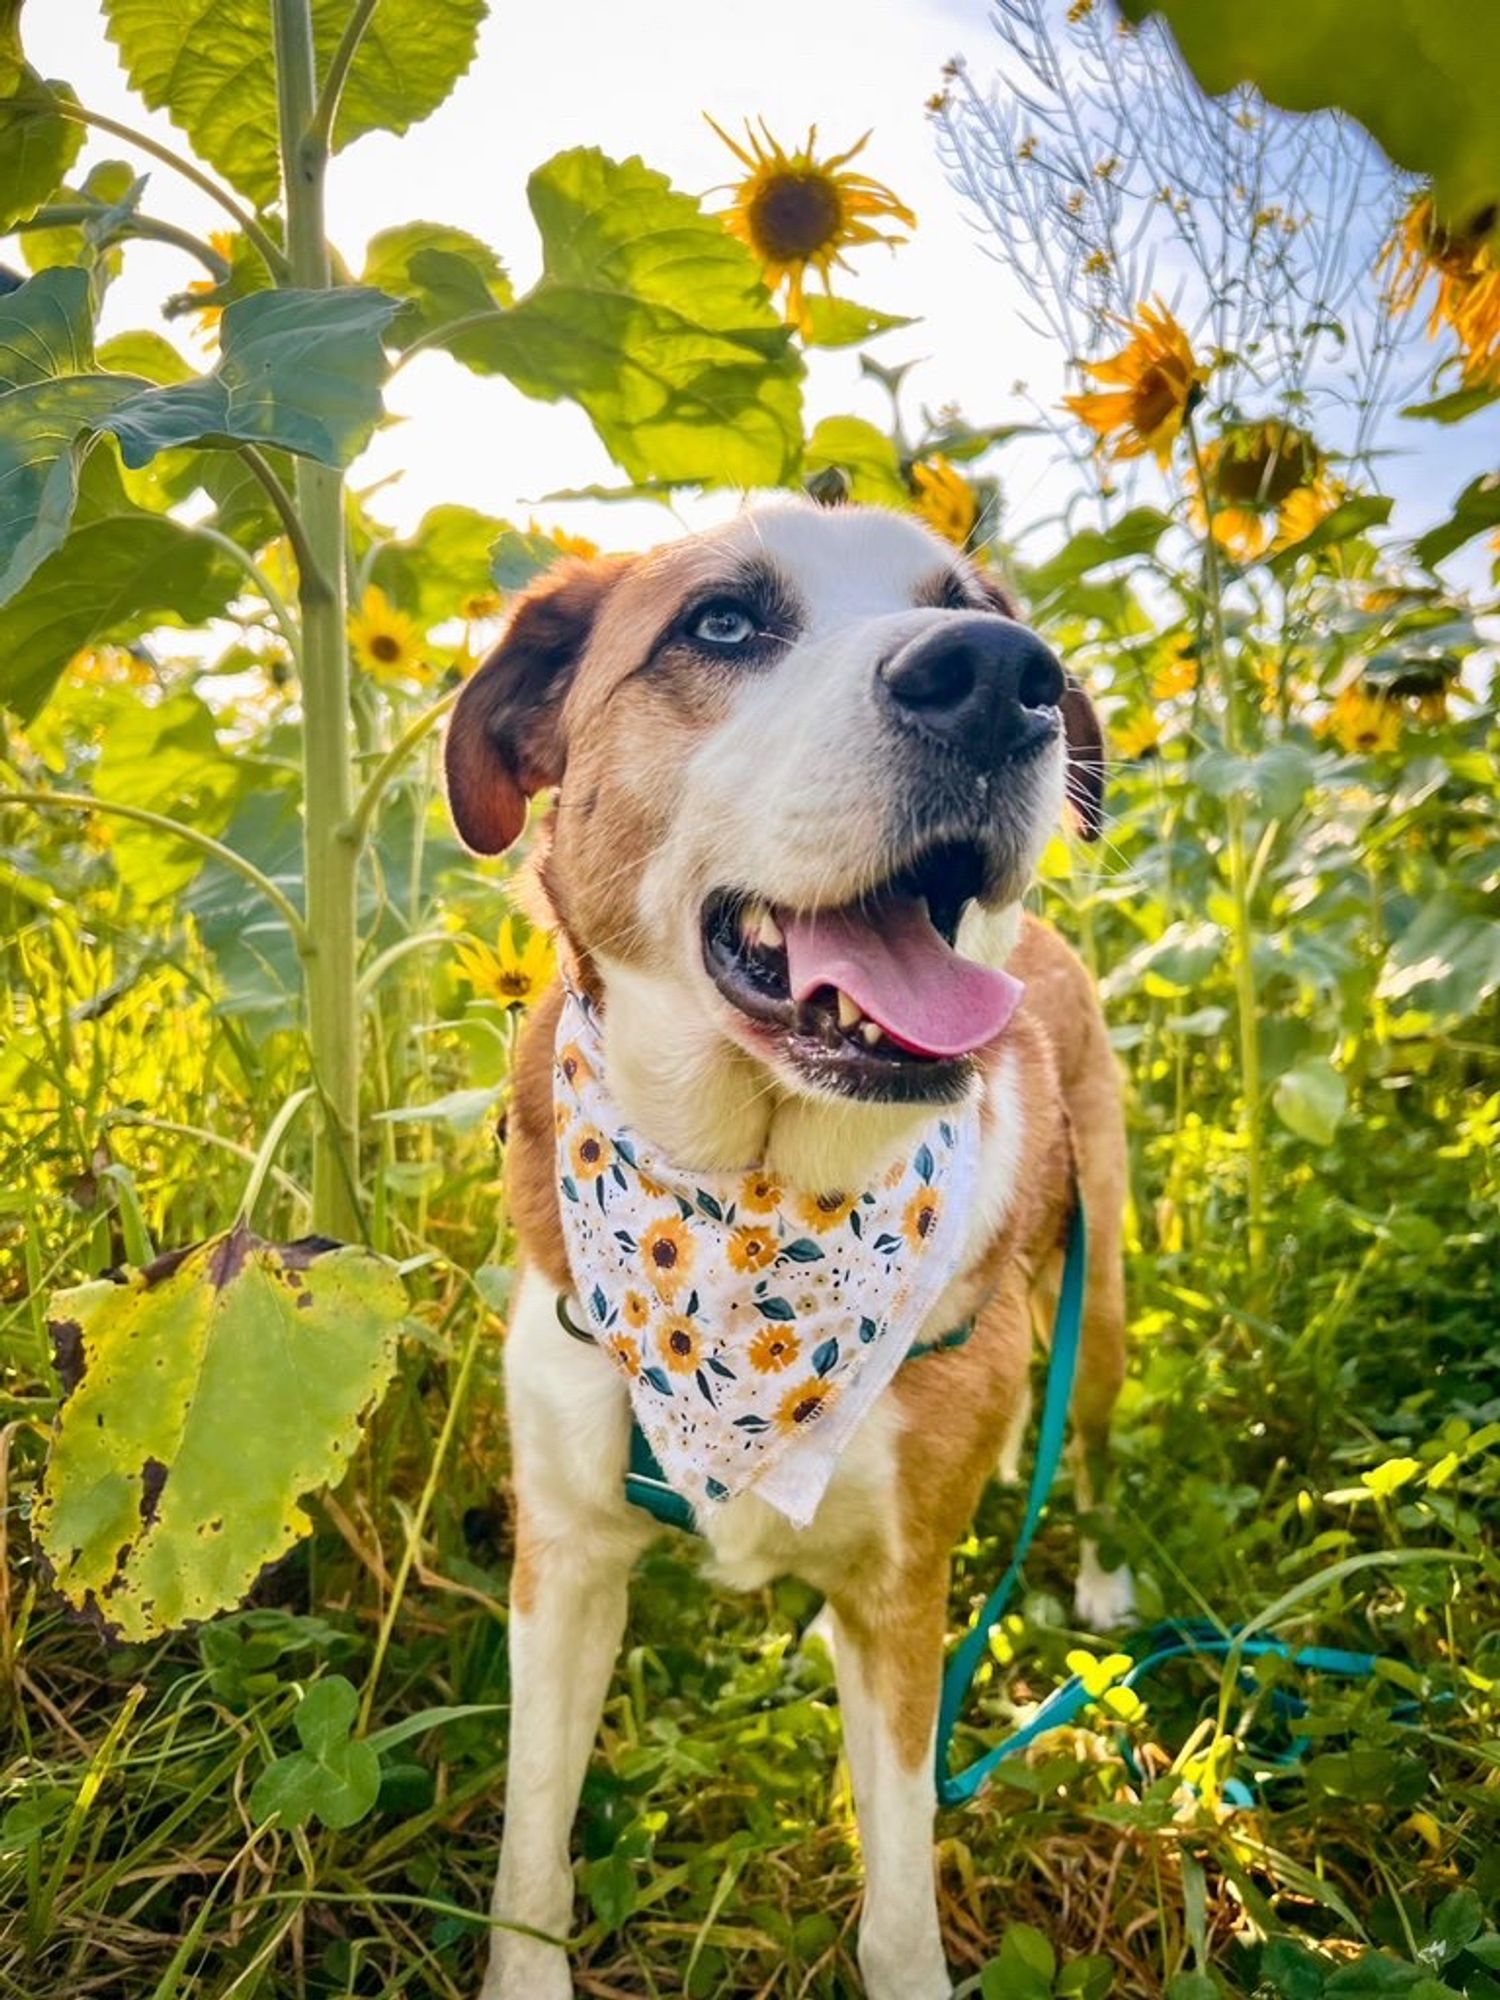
[[51, 397]]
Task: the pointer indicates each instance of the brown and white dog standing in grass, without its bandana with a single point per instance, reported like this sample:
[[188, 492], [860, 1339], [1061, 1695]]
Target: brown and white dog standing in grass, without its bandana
[[799, 711]]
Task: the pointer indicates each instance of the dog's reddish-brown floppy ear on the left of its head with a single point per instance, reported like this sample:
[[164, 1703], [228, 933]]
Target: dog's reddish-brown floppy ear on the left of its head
[[505, 739]]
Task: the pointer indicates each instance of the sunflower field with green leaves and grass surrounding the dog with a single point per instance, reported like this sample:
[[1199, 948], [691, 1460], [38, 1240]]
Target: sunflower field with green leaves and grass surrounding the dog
[[261, 1011]]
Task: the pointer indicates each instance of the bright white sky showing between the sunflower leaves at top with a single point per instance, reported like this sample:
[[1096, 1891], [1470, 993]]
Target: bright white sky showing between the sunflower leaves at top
[[635, 77]]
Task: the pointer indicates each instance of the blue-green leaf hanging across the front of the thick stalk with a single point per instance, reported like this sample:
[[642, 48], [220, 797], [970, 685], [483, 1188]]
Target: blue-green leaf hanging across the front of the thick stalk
[[301, 371]]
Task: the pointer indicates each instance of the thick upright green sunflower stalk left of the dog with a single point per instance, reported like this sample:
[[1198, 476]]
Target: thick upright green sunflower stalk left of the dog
[[327, 743]]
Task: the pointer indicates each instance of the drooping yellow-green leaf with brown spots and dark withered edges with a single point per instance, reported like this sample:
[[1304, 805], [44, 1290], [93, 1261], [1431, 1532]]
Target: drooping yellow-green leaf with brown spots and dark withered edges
[[205, 1397]]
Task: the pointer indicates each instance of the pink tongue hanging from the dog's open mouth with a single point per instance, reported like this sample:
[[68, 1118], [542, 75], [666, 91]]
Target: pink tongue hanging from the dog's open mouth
[[899, 973]]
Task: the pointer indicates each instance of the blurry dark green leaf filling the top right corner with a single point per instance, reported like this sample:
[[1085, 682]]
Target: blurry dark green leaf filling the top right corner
[[1423, 77]]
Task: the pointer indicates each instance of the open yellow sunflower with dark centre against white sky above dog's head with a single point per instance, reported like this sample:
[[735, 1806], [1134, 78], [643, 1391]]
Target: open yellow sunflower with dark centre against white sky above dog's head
[[799, 213]]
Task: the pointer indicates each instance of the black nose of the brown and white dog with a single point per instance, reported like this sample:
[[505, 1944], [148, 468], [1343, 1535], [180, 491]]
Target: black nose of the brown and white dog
[[977, 683]]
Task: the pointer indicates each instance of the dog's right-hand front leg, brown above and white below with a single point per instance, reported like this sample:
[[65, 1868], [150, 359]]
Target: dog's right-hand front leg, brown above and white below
[[889, 1659]]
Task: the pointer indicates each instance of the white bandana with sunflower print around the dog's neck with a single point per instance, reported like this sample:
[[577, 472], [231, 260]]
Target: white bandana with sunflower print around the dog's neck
[[755, 1323]]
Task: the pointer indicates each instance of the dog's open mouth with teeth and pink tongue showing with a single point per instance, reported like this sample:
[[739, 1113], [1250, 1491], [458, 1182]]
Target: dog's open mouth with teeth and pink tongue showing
[[867, 999]]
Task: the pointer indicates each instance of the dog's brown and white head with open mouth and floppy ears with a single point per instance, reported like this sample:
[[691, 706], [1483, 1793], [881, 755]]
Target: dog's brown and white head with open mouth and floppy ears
[[807, 767]]
